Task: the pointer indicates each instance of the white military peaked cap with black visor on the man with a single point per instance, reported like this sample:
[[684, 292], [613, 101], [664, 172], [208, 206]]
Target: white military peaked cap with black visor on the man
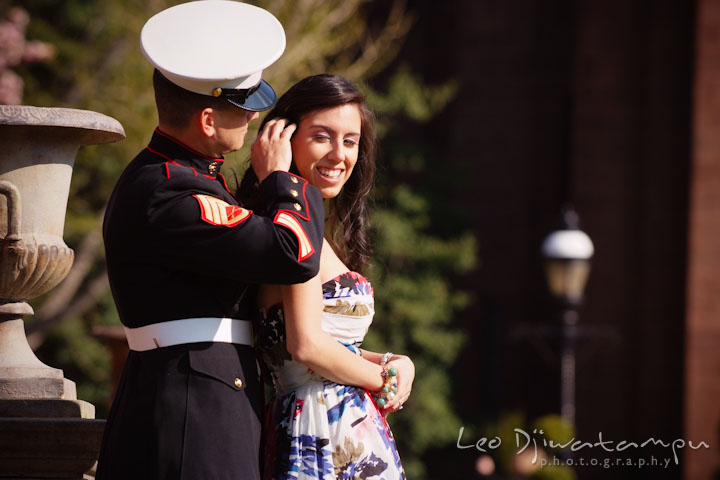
[[217, 48]]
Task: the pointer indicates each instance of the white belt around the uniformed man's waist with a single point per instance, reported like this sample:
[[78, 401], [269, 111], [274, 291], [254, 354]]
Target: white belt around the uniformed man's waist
[[189, 330]]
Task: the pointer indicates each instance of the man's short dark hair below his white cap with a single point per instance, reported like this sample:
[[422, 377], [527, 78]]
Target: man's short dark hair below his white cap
[[176, 106]]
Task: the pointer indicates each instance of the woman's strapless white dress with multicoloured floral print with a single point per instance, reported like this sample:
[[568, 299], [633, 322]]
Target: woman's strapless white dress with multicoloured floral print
[[315, 428]]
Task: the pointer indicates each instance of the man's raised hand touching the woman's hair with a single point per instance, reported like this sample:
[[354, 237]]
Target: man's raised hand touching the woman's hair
[[271, 150]]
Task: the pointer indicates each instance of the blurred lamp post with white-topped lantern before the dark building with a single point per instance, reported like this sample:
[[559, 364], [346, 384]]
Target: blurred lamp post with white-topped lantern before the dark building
[[567, 254]]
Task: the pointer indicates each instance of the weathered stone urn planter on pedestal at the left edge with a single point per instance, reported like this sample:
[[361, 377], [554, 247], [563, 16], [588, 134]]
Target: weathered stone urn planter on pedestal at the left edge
[[45, 431]]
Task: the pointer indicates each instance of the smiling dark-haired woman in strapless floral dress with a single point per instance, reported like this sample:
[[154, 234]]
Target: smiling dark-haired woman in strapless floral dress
[[327, 417]]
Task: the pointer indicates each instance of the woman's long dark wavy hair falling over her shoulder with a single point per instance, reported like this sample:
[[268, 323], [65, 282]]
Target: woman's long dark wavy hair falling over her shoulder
[[348, 214]]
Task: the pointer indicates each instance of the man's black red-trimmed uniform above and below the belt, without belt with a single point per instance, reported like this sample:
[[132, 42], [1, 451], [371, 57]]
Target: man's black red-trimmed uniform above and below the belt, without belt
[[179, 246]]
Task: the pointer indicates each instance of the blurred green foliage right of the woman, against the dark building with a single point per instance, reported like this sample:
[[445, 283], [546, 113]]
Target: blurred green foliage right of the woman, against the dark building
[[415, 302]]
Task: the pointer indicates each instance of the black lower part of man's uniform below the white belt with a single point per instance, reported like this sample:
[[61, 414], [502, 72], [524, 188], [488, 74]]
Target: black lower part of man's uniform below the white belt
[[198, 407]]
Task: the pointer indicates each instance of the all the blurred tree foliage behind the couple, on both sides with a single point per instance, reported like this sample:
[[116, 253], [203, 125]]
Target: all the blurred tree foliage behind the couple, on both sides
[[98, 66]]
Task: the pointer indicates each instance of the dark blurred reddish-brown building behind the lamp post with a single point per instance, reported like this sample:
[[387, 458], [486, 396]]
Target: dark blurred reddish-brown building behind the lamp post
[[614, 106]]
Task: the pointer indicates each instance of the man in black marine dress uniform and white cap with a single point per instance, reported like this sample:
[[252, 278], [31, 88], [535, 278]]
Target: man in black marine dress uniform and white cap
[[184, 258]]
